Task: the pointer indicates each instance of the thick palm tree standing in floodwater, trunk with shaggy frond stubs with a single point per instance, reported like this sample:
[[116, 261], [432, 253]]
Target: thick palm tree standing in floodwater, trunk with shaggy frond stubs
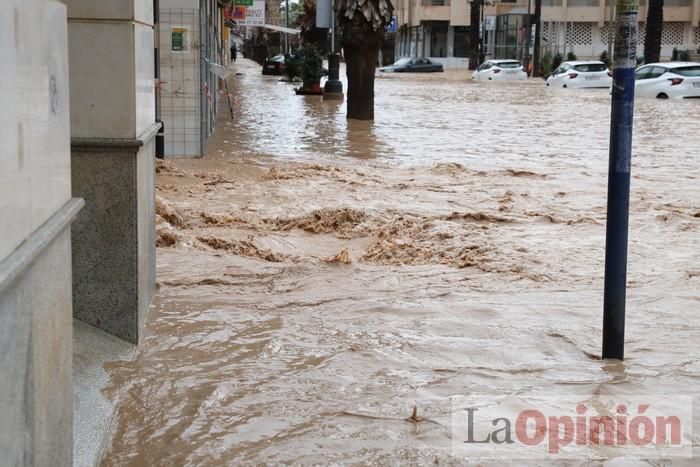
[[361, 24]]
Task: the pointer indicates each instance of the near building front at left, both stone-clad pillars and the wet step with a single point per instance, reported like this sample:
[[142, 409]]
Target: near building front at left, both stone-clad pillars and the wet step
[[77, 241]]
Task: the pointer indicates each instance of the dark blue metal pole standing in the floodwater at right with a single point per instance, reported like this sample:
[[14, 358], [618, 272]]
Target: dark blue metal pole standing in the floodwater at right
[[617, 224]]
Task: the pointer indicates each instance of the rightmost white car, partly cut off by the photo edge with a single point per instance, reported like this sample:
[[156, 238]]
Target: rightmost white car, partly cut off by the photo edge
[[673, 80]]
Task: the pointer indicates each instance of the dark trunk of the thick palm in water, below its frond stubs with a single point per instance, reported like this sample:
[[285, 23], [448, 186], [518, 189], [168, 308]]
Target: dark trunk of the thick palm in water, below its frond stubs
[[361, 49]]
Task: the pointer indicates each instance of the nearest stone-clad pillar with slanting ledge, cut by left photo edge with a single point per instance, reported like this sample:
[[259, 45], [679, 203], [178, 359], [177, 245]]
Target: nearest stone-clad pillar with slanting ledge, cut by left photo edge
[[36, 210]]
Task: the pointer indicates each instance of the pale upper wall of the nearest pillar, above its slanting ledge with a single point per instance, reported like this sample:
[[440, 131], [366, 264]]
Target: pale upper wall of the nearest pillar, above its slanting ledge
[[34, 119]]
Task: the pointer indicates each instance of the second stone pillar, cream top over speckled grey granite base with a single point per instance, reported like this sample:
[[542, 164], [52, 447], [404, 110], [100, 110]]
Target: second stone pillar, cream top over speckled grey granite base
[[111, 45]]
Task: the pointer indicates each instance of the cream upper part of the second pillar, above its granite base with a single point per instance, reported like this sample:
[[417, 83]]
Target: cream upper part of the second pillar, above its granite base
[[114, 95]]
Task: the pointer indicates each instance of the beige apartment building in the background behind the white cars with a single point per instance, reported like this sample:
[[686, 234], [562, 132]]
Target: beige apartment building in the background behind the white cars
[[439, 28]]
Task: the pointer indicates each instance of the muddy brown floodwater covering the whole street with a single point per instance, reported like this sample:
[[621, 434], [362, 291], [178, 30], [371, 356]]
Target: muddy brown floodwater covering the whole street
[[321, 278]]
